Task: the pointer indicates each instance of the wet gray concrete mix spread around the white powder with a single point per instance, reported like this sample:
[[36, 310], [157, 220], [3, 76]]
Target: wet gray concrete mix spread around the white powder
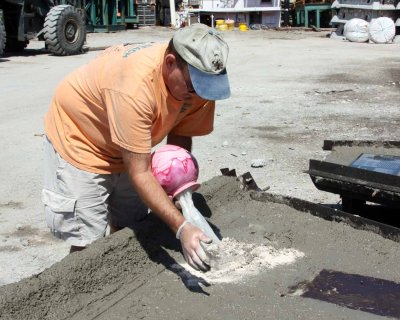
[[140, 274]]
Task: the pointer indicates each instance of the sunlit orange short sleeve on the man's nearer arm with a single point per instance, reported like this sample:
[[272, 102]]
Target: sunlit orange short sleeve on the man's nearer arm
[[130, 120]]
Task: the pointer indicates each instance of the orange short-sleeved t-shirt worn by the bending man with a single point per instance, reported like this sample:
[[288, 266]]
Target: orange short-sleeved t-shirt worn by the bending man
[[120, 100]]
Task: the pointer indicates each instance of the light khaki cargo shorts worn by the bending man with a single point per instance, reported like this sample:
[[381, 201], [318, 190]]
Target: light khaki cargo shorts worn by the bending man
[[79, 204]]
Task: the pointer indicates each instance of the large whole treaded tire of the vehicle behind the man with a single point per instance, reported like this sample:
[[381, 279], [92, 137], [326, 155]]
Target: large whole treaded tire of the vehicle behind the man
[[64, 30]]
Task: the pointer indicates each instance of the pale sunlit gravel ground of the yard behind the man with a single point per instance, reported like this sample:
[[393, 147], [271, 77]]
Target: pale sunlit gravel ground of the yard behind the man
[[290, 91]]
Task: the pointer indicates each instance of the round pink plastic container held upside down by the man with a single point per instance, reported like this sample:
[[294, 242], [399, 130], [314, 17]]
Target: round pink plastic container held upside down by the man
[[175, 168]]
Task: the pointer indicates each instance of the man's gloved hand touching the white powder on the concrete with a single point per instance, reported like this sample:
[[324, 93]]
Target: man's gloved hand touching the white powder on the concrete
[[195, 256]]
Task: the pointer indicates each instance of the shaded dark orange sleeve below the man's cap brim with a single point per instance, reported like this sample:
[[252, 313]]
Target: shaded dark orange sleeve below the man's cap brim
[[196, 121]]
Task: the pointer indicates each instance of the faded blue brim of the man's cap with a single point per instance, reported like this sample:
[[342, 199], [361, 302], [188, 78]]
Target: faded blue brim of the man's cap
[[210, 86]]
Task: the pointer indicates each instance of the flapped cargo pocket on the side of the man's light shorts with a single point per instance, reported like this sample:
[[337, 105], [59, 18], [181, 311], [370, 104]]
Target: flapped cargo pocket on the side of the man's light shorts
[[60, 212]]
